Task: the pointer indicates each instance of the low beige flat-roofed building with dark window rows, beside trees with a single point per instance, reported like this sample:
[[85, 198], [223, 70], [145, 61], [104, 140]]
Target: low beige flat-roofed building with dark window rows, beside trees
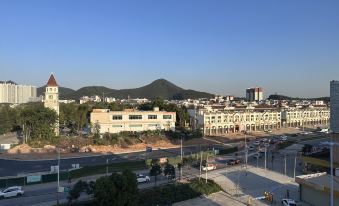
[[133, 120]]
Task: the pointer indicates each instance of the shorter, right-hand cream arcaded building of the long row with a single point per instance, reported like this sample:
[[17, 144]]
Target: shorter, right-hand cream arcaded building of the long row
[[301, 116]]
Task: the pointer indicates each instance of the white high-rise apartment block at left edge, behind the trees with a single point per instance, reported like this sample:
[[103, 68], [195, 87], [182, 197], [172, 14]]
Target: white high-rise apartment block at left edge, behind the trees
[[16, 94]]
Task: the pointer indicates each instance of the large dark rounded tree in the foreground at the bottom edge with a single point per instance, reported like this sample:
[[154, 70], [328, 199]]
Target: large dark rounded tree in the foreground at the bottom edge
[[117, 190]]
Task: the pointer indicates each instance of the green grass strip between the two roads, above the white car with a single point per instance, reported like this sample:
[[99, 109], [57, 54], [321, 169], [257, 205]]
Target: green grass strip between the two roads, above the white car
[[101, 169]]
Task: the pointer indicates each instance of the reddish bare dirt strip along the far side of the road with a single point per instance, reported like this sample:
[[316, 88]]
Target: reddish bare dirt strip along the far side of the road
[[25, 152]]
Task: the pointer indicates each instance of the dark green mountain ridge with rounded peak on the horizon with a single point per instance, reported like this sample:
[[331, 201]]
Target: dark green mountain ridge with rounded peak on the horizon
[[158, 88]]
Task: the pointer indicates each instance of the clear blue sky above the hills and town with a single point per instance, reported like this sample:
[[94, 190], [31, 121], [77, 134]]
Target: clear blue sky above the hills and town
[[289, 47]]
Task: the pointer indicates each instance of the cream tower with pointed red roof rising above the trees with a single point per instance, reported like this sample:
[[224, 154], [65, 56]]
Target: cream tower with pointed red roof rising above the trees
[[52, 98]]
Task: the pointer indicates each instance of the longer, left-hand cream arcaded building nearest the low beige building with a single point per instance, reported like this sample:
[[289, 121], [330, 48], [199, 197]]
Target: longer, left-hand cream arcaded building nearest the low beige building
[[214, 120]]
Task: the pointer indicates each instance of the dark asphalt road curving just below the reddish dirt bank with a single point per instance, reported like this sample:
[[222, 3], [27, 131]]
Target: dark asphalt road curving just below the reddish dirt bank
[[18, 167]]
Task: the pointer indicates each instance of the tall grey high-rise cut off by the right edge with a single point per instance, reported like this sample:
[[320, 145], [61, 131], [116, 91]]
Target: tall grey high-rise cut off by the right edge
[[334, 120]]
